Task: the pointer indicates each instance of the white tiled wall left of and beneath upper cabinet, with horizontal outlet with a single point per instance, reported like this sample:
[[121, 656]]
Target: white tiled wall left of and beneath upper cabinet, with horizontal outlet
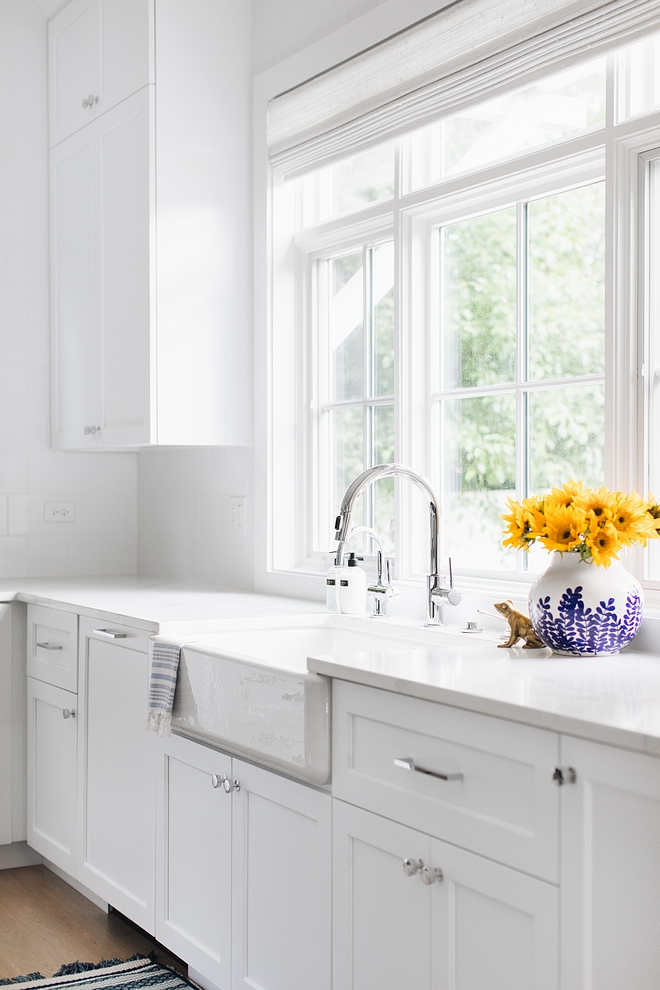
[[103, 538]]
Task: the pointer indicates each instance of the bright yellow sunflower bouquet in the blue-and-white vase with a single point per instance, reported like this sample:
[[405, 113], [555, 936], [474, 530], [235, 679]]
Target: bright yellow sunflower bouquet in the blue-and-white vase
[[595, 523]]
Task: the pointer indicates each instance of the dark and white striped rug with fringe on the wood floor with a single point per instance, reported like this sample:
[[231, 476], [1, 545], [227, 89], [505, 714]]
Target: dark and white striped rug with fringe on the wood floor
[[109, 974]]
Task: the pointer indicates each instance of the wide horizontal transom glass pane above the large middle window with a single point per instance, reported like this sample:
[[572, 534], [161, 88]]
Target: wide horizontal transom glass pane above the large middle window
[[550, 110]]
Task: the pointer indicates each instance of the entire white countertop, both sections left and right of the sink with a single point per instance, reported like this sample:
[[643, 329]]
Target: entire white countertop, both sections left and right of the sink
[[613, 700]]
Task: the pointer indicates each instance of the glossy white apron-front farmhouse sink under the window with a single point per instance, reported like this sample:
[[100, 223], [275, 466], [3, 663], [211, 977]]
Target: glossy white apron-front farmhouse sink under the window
[[245, 686]]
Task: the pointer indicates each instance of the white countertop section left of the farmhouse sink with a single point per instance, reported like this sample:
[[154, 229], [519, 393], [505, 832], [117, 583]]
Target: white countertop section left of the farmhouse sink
[[147, 603]]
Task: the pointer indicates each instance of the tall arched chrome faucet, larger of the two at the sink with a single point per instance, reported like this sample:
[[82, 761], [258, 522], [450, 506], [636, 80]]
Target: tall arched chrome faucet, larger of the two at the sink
[[437, 593]]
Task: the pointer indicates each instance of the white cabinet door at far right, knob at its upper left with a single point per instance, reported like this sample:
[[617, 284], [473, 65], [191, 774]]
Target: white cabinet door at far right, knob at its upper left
[[610, 876]]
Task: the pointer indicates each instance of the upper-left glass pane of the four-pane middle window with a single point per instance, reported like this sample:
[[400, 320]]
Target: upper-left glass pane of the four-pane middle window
[[479, 301]]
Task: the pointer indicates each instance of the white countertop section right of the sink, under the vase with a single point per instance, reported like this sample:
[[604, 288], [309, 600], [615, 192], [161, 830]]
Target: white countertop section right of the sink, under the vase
[[613, 700]]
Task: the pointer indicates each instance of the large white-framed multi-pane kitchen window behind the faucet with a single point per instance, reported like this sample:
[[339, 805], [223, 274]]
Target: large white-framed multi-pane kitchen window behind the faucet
[[456, 315]]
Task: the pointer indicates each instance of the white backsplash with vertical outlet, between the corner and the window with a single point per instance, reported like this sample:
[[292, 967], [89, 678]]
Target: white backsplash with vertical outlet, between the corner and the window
[[185, 531]]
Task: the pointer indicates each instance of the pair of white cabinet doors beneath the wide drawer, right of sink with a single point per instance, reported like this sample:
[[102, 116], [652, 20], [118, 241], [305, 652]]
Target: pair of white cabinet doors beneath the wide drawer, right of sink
[[476, 924]]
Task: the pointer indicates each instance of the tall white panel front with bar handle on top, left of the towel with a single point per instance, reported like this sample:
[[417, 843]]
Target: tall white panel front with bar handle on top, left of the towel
[[116, 770]]
